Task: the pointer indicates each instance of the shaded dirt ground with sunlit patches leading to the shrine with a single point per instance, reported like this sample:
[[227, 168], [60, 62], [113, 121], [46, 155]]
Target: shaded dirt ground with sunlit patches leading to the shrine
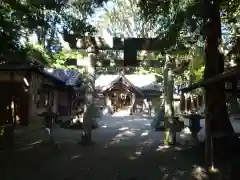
[[125, 148]]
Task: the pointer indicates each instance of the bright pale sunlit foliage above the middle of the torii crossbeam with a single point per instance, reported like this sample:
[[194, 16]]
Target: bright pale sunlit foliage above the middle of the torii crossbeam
[[123, 19]]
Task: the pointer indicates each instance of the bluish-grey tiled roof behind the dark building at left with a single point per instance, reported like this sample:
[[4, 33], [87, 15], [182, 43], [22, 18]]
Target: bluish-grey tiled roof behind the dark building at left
[[68, 76]]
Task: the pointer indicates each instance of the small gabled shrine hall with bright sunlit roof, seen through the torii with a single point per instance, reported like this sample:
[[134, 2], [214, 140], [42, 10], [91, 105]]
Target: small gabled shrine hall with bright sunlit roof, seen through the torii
[[126, 90]]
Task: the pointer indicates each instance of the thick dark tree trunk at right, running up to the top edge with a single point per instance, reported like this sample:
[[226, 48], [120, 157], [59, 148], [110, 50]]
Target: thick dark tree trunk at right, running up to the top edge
[[217, 121]]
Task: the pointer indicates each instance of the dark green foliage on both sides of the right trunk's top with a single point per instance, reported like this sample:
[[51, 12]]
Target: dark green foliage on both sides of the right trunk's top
[[187, 16]]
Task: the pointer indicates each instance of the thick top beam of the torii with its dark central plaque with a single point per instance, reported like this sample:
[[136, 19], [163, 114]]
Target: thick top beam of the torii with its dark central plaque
[[129, 45]]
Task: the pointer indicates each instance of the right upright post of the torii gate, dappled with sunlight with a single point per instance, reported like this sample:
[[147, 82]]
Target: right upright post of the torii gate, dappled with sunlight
[[170, 134]]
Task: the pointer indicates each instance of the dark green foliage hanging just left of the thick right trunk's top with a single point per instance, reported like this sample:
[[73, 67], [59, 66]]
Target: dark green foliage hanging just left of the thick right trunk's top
[[175, 21]]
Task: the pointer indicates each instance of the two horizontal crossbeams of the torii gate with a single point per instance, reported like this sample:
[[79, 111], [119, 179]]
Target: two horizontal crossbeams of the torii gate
[[130, 46]]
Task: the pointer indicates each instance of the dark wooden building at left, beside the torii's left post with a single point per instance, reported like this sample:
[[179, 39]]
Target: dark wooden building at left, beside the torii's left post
[[27, 91]]
